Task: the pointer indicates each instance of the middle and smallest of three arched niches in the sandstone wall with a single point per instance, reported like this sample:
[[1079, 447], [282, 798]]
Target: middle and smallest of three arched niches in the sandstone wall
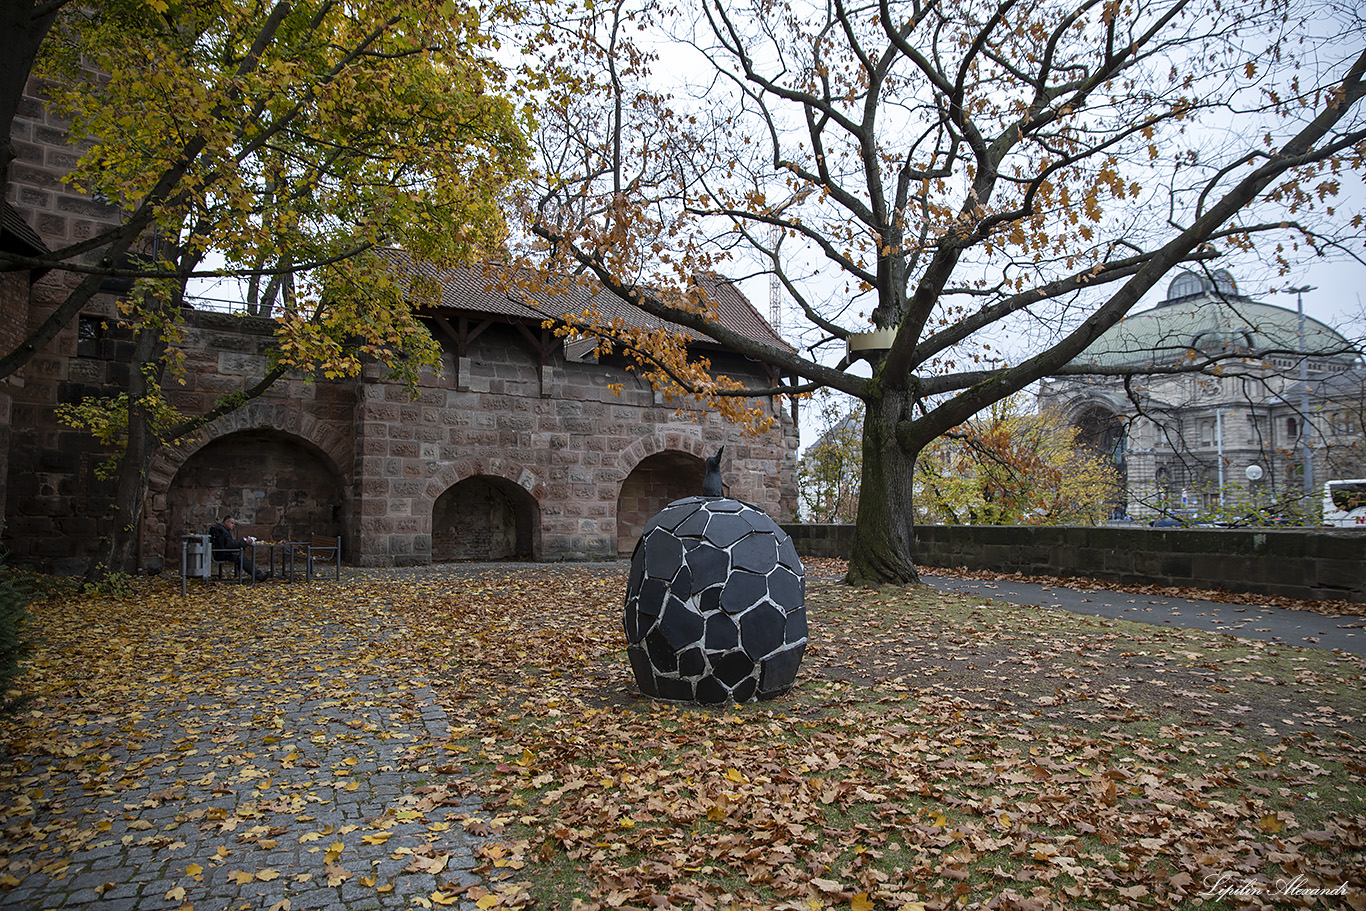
[[486, 518]]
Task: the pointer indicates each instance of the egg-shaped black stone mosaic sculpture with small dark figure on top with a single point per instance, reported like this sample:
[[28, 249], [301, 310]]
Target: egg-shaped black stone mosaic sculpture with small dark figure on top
[[716, 603]]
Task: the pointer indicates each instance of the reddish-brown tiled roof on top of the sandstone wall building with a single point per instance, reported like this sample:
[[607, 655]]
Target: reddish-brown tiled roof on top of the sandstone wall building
[[487, 290]]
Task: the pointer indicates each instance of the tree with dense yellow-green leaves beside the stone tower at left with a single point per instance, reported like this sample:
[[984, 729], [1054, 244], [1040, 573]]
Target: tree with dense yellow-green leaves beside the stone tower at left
[[288, 144]]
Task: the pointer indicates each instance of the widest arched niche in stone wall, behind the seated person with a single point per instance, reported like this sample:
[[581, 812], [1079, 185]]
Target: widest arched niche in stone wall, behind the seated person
[[279, 487]]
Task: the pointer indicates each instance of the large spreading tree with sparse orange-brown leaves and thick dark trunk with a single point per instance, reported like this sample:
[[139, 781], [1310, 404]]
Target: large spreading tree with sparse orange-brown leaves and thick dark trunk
[[964, 195]]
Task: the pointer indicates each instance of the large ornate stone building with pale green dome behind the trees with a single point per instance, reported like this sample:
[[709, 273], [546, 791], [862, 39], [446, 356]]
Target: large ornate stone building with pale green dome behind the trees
[[1236, 434]]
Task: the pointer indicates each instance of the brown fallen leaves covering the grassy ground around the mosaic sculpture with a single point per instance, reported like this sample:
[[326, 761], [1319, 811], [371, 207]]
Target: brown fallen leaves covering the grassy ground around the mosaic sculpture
[[938, 752]]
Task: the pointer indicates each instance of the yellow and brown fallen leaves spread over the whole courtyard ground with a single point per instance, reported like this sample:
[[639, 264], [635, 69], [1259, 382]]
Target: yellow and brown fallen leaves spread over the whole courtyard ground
[[938, 752]]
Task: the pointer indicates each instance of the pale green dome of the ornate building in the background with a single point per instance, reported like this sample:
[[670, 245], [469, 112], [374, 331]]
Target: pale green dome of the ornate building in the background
[[1207, 316]]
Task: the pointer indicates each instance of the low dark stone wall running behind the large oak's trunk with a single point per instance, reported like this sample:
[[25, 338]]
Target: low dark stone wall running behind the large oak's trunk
[[1298, 563]]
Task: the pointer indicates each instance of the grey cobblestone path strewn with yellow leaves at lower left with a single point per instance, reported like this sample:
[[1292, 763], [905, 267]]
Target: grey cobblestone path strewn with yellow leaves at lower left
[[245, 748]]
